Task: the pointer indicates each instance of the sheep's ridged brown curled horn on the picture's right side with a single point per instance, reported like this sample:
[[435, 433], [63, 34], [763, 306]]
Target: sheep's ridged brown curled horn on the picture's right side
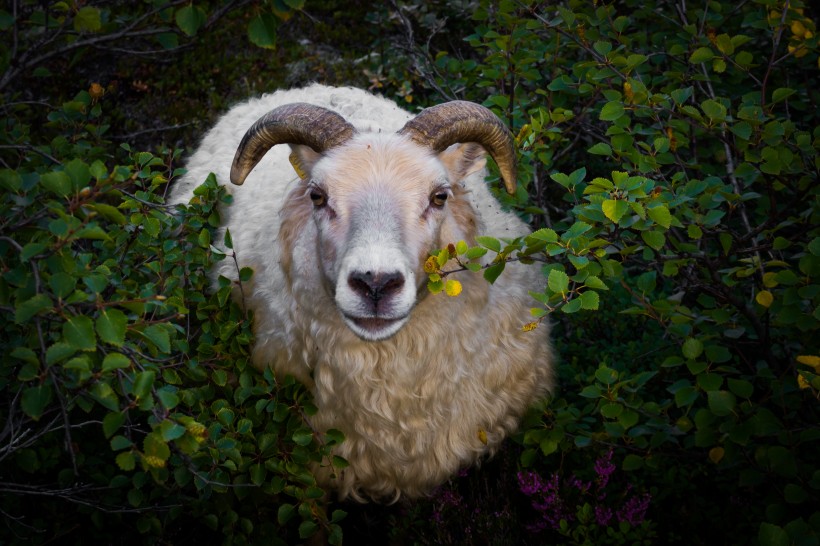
[[460, 121]]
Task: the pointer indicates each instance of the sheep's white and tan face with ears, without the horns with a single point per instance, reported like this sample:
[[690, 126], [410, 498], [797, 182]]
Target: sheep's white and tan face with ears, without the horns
[[380, 203]]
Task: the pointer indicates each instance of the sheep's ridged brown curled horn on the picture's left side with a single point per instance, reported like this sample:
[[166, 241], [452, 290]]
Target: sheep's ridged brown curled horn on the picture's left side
[[297, 123]]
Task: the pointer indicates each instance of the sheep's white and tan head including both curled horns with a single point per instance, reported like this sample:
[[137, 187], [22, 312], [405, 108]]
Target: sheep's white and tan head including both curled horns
[[381, 201]]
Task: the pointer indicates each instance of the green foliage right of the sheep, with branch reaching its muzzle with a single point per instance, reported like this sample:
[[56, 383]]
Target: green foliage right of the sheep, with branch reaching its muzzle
[[699, 136]]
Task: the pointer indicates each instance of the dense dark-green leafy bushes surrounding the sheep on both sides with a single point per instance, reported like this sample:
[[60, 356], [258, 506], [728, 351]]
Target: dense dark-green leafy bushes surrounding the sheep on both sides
[[669, 168]]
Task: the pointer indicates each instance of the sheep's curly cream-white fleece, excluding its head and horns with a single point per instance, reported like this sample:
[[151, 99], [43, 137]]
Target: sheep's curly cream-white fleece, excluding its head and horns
[[418, 406]]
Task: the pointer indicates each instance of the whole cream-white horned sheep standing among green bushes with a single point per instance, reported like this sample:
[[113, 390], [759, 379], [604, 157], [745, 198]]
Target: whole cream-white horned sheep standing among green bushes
[[336, 227]]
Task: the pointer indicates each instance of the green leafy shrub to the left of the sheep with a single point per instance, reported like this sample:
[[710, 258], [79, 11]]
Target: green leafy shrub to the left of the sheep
[[127, 390]]
